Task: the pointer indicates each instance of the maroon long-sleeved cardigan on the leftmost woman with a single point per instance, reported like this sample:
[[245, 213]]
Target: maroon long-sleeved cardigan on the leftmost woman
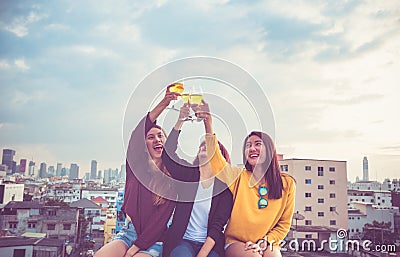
[[150, 221]]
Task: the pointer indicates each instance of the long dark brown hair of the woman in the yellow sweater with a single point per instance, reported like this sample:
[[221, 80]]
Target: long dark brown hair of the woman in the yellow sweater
[[272, 170]]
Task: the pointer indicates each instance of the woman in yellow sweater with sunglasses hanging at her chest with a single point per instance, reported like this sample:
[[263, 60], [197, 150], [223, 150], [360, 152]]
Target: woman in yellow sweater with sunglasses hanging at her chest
[[263, 195]]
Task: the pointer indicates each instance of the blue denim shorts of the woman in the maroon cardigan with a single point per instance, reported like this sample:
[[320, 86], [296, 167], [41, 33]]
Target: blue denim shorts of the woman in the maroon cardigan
[[128, 236]]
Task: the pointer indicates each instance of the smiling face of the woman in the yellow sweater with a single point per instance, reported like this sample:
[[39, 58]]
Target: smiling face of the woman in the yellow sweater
[[255, 151]]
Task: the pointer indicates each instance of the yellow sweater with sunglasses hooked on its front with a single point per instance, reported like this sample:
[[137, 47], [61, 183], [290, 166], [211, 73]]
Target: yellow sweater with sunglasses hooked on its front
[[248, 222]]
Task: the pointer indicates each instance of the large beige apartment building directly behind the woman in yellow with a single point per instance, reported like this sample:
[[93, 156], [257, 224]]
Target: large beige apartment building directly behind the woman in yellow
[[321, 195]]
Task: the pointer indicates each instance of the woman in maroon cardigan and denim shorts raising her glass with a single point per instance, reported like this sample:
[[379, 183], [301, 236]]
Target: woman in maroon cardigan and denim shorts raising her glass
[[147, 192]]
